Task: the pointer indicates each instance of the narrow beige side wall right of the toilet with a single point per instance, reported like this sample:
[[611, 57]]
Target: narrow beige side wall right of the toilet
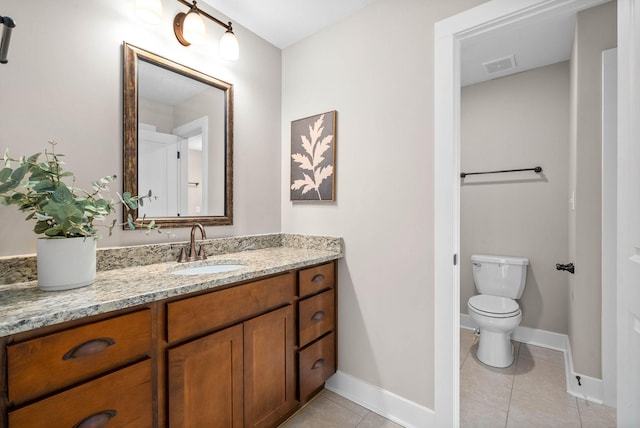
[[595, 32]]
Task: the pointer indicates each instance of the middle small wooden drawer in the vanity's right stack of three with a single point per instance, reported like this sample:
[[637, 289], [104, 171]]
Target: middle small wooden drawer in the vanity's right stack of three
[[316, 317]]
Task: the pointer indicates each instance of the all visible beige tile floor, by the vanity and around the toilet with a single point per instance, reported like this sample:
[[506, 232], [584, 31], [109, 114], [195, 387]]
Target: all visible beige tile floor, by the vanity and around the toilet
[[530, 393]]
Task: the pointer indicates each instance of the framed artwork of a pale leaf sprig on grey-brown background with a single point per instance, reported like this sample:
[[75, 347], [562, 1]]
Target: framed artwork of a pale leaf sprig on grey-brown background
[[313, 158]]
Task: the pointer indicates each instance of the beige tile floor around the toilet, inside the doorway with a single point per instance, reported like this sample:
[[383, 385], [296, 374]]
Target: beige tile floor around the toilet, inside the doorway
[[529, 393]]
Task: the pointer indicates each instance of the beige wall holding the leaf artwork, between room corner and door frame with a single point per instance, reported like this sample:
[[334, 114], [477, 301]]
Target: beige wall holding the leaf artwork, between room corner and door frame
[[376, 69]]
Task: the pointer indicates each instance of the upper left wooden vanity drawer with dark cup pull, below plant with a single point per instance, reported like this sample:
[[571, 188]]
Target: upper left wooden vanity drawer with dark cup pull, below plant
[[48, 363]]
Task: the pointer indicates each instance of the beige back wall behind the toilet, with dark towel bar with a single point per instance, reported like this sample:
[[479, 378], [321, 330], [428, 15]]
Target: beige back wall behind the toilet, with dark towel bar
[[519, 121]]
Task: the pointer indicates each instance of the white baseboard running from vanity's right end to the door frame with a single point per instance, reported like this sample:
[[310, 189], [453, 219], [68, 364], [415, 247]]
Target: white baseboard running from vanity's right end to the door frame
[[380, 401]]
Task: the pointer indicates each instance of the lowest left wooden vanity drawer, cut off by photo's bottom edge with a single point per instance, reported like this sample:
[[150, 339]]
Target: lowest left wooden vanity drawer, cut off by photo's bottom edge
[[121, 399]]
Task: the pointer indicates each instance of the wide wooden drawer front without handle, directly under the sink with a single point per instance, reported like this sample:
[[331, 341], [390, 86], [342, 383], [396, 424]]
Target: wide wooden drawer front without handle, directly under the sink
[[195, 315]]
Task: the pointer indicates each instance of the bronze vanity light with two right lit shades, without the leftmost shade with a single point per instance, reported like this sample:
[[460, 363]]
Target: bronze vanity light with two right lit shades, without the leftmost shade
[[189, 29]]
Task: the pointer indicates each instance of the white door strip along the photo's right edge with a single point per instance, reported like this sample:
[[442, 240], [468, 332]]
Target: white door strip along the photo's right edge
[[628, 214]]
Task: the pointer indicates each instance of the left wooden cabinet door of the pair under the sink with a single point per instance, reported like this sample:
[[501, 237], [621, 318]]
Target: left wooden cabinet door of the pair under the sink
[[205, 381]]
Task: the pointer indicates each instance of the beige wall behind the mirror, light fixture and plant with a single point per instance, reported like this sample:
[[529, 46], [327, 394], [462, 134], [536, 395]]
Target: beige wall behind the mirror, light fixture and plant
[[64, 82]]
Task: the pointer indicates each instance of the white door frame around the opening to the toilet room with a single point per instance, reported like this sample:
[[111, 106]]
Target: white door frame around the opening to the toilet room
[[449, 35]]
